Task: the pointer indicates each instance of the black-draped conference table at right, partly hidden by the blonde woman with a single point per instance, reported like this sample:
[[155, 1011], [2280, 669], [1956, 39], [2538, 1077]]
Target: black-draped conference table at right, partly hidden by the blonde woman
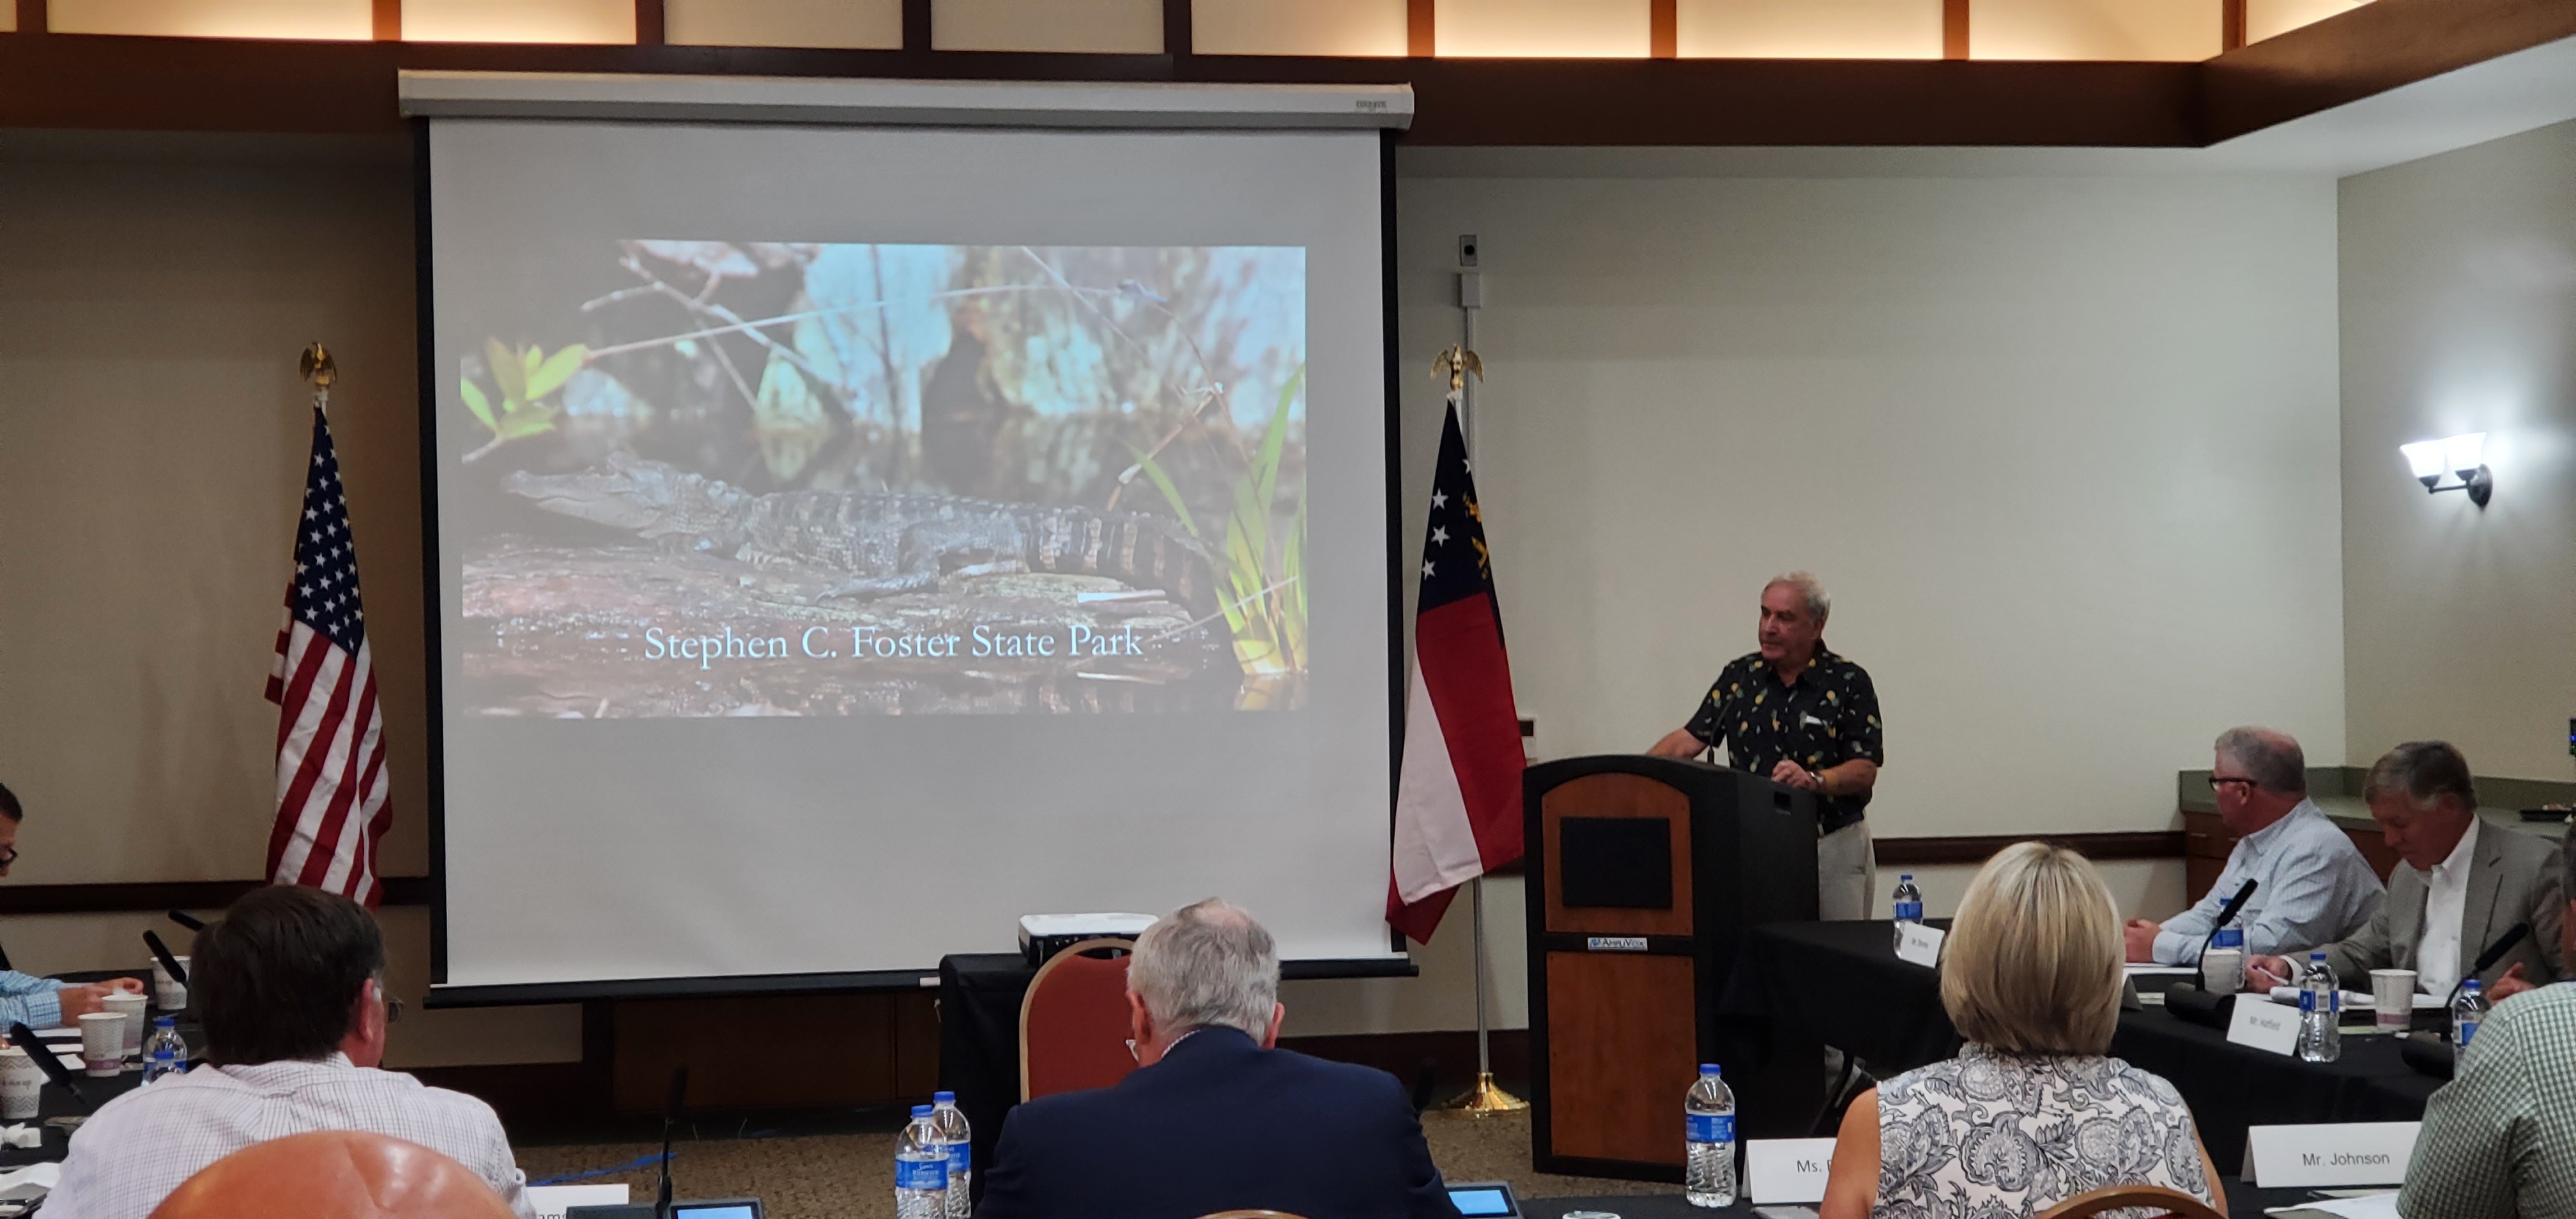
[[1841, 983]]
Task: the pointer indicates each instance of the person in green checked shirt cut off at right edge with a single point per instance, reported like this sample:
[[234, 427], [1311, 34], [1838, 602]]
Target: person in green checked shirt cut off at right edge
[[2500, 1140]]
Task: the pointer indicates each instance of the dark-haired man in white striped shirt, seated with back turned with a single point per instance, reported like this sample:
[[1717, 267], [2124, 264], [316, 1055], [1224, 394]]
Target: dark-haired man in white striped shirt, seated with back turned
[[292, 993]]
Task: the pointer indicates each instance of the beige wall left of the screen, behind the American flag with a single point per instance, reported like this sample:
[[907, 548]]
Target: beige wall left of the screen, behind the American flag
[[151, 465]]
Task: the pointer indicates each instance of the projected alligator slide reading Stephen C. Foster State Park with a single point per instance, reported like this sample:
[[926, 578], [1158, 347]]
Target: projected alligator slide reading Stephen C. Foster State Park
[[715, 478]]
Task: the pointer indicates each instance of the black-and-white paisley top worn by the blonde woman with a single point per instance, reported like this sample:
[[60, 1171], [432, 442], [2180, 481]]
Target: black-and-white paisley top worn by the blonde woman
[[1995, 1135]]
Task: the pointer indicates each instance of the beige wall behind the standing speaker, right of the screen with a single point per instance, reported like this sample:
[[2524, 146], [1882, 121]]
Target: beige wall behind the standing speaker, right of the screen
[[2062, 447]]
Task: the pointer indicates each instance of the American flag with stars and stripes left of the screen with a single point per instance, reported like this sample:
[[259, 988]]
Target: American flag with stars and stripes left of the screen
[[331, 733]]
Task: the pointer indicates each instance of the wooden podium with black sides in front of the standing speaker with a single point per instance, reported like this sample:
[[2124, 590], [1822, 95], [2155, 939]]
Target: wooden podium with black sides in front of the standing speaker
[[1647, 875]]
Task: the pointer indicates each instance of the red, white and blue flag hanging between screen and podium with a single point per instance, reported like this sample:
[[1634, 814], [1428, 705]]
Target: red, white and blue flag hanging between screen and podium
[[1459, 792]]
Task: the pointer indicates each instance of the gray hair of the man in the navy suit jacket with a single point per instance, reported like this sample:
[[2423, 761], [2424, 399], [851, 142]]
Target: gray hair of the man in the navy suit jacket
[[1207, 965]]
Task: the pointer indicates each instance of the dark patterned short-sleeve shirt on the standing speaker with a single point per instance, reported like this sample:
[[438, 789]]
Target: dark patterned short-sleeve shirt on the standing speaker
[[1828, 718]]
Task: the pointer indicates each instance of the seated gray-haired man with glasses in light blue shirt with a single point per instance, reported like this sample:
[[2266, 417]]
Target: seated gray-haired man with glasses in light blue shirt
[[2312, 883]]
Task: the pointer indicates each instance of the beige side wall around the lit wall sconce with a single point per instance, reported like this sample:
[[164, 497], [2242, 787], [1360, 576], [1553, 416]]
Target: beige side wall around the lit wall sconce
[[2459, 313]]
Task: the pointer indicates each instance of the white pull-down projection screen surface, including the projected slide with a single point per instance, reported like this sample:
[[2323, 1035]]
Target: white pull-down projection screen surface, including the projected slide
[[800, 620]]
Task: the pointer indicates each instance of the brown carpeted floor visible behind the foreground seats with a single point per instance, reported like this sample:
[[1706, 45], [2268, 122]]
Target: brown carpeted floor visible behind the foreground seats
[[851, 1176]]
